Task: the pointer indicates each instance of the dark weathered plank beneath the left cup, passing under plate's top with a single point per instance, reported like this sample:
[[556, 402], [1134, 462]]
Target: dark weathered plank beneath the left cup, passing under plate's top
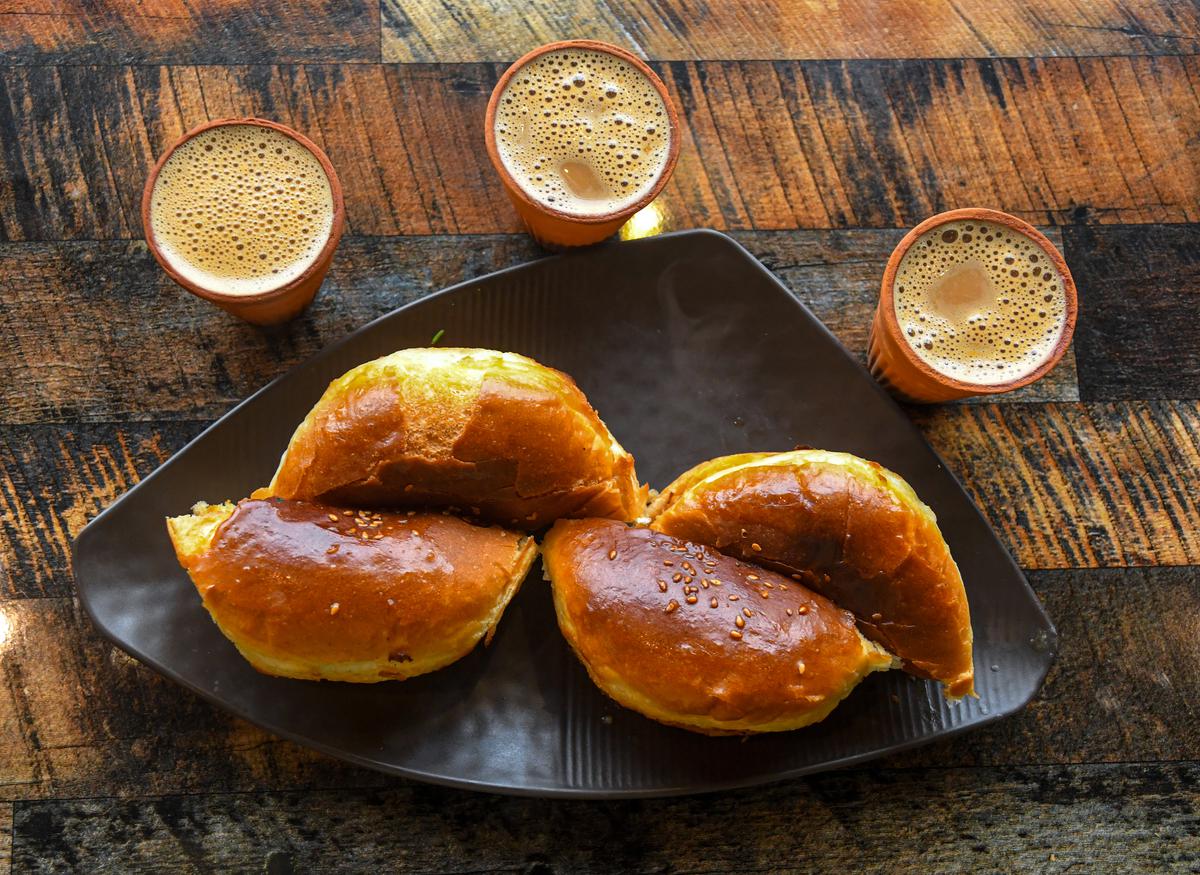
[[97, 331]]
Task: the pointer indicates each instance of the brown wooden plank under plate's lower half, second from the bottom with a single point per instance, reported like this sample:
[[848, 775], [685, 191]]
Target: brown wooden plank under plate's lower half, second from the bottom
[[81, 720]]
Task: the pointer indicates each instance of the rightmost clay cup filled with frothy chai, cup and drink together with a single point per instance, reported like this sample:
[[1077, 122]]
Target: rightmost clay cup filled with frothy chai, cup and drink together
[[974, 303]]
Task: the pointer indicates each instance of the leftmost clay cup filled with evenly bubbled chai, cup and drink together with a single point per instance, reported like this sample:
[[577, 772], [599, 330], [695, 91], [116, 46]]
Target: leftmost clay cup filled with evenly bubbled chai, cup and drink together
[[247, 214]]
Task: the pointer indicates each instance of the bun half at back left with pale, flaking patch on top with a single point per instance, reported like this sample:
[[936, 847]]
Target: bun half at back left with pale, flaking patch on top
[[494, 434]]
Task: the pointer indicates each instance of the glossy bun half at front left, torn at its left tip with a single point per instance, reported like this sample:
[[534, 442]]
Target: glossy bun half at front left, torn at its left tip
[[315, 592]]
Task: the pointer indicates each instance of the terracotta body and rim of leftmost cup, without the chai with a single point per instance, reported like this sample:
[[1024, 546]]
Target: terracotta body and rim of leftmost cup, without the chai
[[274, 305]]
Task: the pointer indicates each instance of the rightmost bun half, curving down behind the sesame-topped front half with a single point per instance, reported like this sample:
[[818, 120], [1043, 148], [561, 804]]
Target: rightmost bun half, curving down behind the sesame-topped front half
[[854, 531]]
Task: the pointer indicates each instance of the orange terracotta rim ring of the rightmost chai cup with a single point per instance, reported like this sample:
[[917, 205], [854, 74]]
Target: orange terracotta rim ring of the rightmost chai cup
[[889, 314]]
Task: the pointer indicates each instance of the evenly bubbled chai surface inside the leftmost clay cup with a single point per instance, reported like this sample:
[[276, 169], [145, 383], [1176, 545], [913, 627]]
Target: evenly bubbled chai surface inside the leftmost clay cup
[[242, 209]]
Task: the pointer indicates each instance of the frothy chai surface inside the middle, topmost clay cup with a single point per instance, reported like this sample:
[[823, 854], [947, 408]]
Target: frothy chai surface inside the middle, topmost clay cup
[[584, 133]]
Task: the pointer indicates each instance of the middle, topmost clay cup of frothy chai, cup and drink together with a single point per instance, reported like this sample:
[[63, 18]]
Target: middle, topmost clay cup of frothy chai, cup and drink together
[[584, 136]]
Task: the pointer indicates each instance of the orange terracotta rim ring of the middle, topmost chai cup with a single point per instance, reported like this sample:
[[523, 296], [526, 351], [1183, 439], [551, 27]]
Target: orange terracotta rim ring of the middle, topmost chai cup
[[595, 46]]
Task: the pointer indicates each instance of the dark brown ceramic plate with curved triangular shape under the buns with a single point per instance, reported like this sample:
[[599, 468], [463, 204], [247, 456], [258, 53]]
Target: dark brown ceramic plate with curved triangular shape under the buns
[[689, 349]]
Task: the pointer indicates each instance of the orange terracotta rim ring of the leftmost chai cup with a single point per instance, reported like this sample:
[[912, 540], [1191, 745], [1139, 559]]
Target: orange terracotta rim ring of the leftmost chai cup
[[319, 263]]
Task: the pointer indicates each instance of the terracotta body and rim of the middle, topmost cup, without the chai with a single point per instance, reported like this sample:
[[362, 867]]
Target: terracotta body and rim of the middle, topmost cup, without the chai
[[557, 229]]
